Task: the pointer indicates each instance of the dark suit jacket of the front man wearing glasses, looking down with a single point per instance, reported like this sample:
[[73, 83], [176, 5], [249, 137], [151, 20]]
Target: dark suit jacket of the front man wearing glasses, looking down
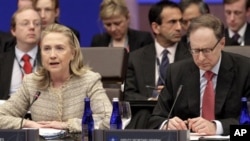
[[233, 82]]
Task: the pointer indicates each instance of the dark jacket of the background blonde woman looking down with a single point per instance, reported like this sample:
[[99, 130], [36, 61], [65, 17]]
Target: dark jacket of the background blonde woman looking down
[[136, 39]]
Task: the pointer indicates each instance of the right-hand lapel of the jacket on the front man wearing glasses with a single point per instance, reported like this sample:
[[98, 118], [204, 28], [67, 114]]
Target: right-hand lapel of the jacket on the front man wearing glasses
[[224, 81]]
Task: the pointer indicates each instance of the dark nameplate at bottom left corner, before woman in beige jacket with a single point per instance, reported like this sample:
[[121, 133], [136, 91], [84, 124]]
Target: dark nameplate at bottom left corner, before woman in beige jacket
[[19, 135]]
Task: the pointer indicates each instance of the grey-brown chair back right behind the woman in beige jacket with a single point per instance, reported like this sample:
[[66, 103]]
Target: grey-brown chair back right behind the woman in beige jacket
[[111, 63]]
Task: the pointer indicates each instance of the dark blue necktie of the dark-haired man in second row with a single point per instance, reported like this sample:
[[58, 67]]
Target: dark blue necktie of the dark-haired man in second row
[[163, 67]]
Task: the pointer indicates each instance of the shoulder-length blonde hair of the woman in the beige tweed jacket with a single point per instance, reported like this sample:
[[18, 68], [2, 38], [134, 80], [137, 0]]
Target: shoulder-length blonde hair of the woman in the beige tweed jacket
[[76, 65]]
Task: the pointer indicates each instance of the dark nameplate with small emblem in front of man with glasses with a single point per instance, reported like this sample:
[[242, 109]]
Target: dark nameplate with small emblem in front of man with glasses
[[141, 134]]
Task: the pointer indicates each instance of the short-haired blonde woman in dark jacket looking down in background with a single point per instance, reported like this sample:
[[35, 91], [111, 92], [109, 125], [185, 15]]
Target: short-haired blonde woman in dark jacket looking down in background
[[115, 17]]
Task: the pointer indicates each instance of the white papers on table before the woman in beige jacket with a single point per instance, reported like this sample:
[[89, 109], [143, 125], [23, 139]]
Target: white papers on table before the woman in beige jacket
[[49, 133]]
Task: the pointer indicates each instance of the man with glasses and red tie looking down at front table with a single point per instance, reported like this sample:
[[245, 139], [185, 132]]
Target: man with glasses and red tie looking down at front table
[[230, 81]]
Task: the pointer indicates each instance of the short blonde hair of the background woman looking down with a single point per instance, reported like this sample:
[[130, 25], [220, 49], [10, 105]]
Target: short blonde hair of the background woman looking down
[[109, 8]]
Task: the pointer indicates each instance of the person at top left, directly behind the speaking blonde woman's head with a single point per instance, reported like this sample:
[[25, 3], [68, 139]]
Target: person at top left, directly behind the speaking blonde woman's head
[[49, 11]]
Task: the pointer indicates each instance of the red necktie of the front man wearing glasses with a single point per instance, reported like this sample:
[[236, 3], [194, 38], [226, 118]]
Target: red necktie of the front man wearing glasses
[[208, 100]]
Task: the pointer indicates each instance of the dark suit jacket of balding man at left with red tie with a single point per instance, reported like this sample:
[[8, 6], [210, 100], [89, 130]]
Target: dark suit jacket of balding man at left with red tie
[[7, 57]]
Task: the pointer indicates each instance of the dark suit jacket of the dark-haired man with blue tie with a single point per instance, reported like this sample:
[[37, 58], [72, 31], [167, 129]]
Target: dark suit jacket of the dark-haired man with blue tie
[[141, 71]]
